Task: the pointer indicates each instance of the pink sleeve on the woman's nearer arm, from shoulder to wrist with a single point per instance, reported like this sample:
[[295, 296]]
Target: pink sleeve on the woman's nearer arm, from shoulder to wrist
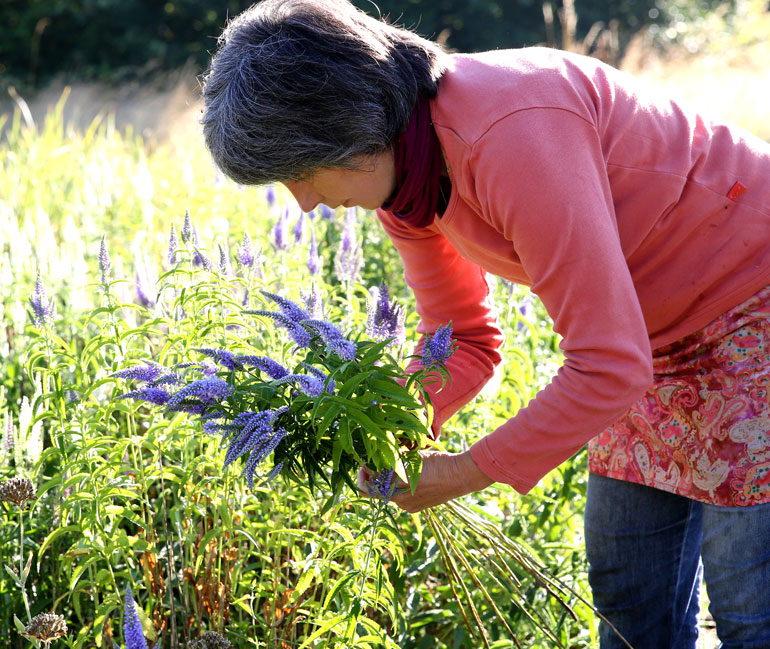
[[541, 180]]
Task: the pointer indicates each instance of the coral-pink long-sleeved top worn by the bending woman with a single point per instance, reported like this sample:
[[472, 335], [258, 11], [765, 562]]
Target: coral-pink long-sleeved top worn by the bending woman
[[635, 221]]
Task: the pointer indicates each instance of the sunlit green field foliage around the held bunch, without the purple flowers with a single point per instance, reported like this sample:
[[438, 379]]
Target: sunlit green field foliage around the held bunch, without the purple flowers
[[128, 496]]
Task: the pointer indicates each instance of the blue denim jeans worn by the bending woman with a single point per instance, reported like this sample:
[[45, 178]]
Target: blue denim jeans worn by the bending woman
[[646, 549]]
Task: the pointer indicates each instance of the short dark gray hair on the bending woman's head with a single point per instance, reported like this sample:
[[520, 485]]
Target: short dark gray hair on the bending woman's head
[[300, 85]]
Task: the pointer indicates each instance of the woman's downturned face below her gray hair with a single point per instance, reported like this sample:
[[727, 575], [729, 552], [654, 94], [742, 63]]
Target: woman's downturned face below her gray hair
[[368, 186]]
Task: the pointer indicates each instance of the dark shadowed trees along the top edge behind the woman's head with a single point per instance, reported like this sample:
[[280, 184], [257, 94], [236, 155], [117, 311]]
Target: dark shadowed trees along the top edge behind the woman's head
[[114, 40]]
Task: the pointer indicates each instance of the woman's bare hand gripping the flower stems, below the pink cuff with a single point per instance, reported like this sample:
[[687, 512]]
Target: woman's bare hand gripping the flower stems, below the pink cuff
[[444, 476]]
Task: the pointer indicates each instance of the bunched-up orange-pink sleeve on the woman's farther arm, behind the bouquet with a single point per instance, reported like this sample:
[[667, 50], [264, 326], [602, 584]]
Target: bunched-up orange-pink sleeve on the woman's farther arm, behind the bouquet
[[447, 288]]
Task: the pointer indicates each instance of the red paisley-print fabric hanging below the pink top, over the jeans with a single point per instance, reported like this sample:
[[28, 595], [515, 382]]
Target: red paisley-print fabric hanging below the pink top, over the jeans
[[703, 429]]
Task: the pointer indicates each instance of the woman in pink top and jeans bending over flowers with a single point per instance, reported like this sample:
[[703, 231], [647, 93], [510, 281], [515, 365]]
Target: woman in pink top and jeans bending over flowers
[[644, 229]]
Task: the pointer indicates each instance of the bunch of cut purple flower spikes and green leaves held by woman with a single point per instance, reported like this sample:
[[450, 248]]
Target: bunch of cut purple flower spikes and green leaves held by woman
[[331, 406]]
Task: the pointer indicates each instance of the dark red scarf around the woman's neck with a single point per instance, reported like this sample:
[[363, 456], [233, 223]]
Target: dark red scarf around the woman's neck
[[417, 155]]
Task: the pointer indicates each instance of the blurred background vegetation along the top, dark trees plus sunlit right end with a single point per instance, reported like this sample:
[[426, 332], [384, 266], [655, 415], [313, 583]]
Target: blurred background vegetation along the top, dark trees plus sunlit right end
[[117, 40]]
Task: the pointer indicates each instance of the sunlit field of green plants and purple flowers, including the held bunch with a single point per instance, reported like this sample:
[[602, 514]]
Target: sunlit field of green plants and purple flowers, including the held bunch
[[139, 290]]
